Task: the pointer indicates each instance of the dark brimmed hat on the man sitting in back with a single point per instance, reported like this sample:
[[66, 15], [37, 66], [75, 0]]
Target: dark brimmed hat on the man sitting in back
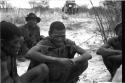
[[31, 17]]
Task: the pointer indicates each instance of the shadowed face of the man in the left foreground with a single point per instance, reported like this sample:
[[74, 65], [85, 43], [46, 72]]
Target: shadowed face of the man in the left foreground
[[14, 45]]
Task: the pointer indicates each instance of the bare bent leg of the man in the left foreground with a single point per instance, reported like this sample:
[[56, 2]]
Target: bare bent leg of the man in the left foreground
[[37, 73]]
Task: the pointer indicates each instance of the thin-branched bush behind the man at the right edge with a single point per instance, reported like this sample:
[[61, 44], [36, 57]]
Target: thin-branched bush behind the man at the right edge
[[107, 17]]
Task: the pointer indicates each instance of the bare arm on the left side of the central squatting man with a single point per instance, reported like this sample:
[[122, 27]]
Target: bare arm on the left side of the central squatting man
[[35, 54]]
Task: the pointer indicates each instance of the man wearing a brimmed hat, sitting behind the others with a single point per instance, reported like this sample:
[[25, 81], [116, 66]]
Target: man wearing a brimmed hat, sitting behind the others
[[31, 34]]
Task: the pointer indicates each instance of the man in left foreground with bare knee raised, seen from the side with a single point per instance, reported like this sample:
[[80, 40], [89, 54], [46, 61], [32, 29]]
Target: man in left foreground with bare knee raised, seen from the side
[[10, 45]]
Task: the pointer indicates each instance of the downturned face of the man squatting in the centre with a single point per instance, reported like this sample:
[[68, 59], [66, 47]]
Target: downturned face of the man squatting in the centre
[[58, 37]]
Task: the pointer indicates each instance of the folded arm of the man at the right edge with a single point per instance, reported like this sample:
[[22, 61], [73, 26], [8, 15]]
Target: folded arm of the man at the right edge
[[107, 50]]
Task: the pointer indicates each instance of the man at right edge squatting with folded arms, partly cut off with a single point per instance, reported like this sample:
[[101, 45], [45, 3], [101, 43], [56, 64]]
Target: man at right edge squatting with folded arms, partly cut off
[[111, 52]]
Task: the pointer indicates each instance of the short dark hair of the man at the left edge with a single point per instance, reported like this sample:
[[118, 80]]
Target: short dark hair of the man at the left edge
[[8, 31]]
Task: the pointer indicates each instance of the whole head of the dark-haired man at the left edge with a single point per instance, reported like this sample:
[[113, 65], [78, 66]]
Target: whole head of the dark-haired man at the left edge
[[10, 37]]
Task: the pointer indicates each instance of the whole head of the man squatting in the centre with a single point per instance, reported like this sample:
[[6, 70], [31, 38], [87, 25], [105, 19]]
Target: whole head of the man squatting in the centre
[[57, 33]]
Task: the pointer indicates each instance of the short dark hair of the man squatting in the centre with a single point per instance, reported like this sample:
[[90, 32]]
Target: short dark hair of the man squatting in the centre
[[57, 25]]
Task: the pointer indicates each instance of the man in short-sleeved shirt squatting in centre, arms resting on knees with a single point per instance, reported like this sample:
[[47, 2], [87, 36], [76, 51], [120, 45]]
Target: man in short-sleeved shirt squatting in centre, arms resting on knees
[[58, 53]]
